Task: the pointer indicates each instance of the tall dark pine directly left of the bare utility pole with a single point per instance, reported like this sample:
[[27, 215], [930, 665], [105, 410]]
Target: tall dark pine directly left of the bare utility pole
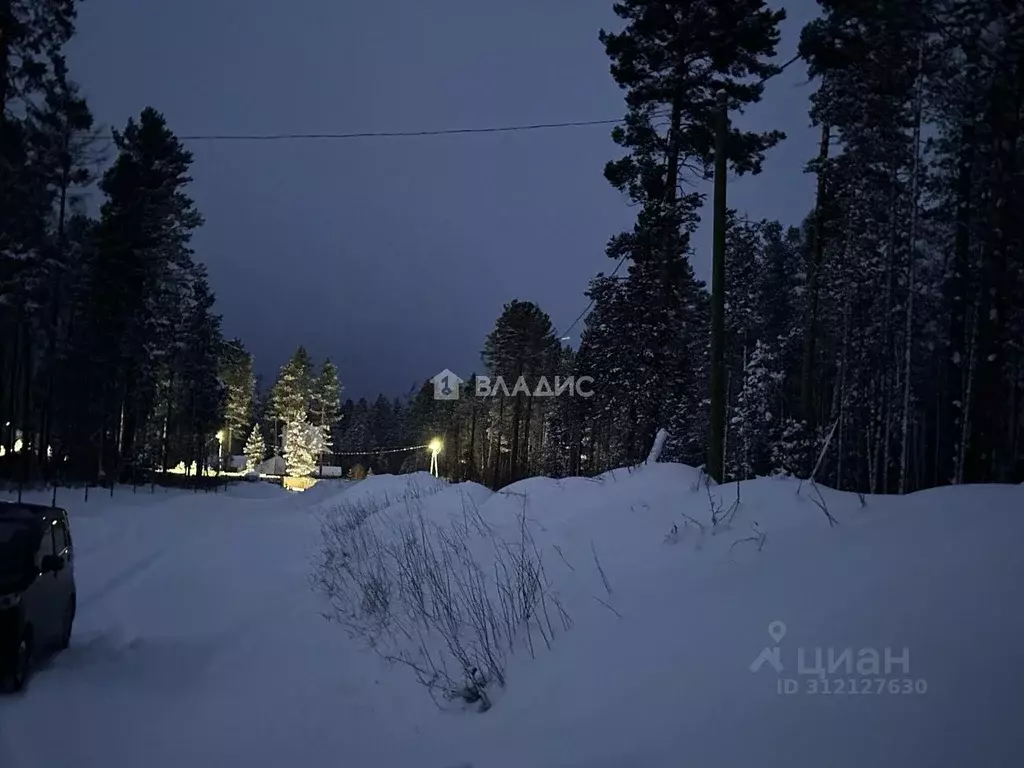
[[672, 59]]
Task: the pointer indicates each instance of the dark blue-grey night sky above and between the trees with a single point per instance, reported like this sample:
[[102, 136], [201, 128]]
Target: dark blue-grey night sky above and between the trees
[[394, 257]]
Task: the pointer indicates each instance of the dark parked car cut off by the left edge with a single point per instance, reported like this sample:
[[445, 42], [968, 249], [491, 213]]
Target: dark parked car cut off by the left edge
[[37, 587]]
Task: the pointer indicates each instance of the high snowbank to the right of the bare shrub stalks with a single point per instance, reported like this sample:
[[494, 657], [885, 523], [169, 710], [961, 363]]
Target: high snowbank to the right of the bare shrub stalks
[[671, 585]]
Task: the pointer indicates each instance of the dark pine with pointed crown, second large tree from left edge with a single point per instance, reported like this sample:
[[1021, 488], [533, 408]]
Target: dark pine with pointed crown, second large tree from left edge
[[142, 282]]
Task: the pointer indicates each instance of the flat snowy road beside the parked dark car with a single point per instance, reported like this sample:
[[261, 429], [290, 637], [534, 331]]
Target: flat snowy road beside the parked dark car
[[198, 644]]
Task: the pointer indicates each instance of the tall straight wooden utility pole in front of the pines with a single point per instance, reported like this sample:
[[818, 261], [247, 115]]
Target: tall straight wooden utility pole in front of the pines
[[716, 458]]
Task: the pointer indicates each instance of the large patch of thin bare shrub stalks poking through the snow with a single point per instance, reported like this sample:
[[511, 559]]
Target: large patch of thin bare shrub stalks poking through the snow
[[450, 601]]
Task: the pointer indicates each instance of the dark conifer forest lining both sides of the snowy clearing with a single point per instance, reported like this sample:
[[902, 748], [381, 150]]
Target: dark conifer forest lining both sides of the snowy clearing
[[881, 342]]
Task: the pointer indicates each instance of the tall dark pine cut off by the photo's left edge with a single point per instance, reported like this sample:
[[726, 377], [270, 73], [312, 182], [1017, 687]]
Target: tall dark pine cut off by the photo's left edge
[[42, 120]]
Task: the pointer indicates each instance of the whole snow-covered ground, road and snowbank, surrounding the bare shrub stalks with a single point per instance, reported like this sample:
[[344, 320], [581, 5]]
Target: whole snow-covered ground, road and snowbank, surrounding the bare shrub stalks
[[200, 641]]
